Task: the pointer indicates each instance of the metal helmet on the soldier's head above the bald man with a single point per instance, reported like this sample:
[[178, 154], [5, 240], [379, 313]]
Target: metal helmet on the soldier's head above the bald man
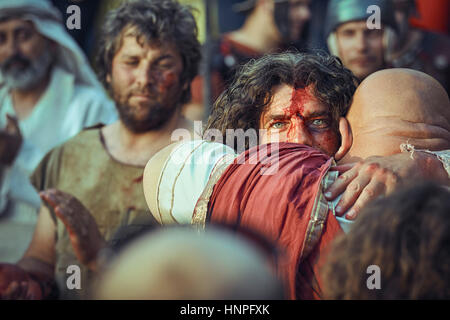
[[342, 11]]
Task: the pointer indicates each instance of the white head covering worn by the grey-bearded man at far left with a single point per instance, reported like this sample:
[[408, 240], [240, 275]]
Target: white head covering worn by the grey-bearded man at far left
[[48, 21]]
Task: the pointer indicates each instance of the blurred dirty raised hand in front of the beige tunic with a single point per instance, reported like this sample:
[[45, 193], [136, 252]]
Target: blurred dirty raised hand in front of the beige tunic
[[83, 230]]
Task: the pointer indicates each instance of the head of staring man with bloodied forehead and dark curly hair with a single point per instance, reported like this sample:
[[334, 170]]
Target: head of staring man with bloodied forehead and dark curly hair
[[302, 98]]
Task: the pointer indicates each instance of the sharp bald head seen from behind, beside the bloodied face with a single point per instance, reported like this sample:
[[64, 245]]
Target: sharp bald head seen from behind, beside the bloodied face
[[396, 106]]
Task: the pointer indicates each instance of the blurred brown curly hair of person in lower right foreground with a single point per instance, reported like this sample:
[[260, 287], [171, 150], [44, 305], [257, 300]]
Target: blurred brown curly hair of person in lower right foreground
[[407, 235]]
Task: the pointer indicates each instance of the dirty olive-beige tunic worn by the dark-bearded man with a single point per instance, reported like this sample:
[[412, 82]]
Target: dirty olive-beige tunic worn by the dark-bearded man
[[110, 190]]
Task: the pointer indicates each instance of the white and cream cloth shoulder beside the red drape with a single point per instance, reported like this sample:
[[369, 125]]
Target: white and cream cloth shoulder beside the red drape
[[175, 178]]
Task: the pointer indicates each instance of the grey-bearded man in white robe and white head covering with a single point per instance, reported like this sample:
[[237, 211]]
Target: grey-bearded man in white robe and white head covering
[[48, 93]]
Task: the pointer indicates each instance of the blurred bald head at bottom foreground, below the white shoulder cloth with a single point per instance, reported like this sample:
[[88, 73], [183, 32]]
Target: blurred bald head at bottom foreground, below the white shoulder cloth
[[183, 263]]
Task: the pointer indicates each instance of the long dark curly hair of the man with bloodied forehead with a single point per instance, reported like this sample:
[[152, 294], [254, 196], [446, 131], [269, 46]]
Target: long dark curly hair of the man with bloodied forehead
[[240, 106]]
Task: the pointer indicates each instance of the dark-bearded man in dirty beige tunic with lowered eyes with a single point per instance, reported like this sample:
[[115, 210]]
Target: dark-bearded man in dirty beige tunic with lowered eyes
[[148, 57]]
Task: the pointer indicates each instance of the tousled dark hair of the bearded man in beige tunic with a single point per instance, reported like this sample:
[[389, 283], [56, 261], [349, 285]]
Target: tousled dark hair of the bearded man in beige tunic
[[158, 21]]
